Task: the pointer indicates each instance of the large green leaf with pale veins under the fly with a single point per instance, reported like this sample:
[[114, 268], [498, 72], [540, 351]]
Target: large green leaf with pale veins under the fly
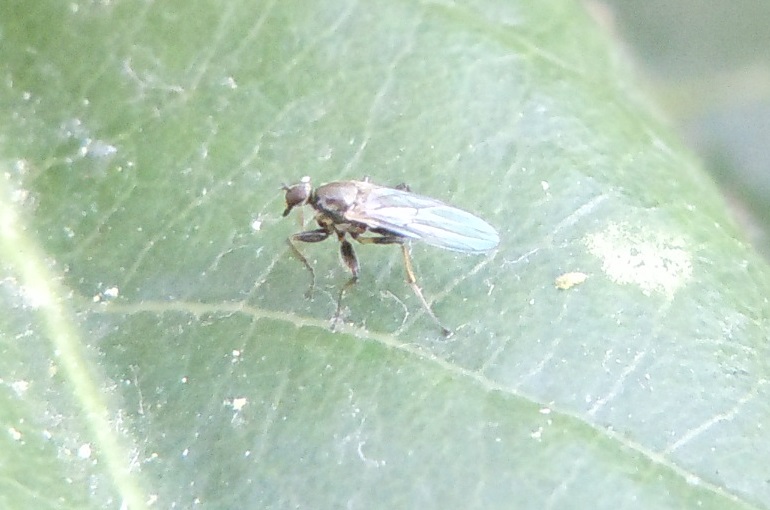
[[157, 347]]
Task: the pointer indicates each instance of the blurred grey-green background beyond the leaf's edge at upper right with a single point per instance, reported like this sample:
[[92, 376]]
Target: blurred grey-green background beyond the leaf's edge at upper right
[[707, 63]]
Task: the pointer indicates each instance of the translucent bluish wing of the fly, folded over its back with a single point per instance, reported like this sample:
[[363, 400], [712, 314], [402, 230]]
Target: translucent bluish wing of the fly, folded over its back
[[418, 217]]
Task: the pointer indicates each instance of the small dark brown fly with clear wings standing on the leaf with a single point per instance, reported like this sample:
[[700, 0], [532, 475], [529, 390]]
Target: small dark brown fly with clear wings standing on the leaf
[[388, 216]]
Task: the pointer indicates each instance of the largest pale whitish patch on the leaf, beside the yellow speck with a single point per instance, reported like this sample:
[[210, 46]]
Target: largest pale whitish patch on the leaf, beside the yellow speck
[[649, 258]]
